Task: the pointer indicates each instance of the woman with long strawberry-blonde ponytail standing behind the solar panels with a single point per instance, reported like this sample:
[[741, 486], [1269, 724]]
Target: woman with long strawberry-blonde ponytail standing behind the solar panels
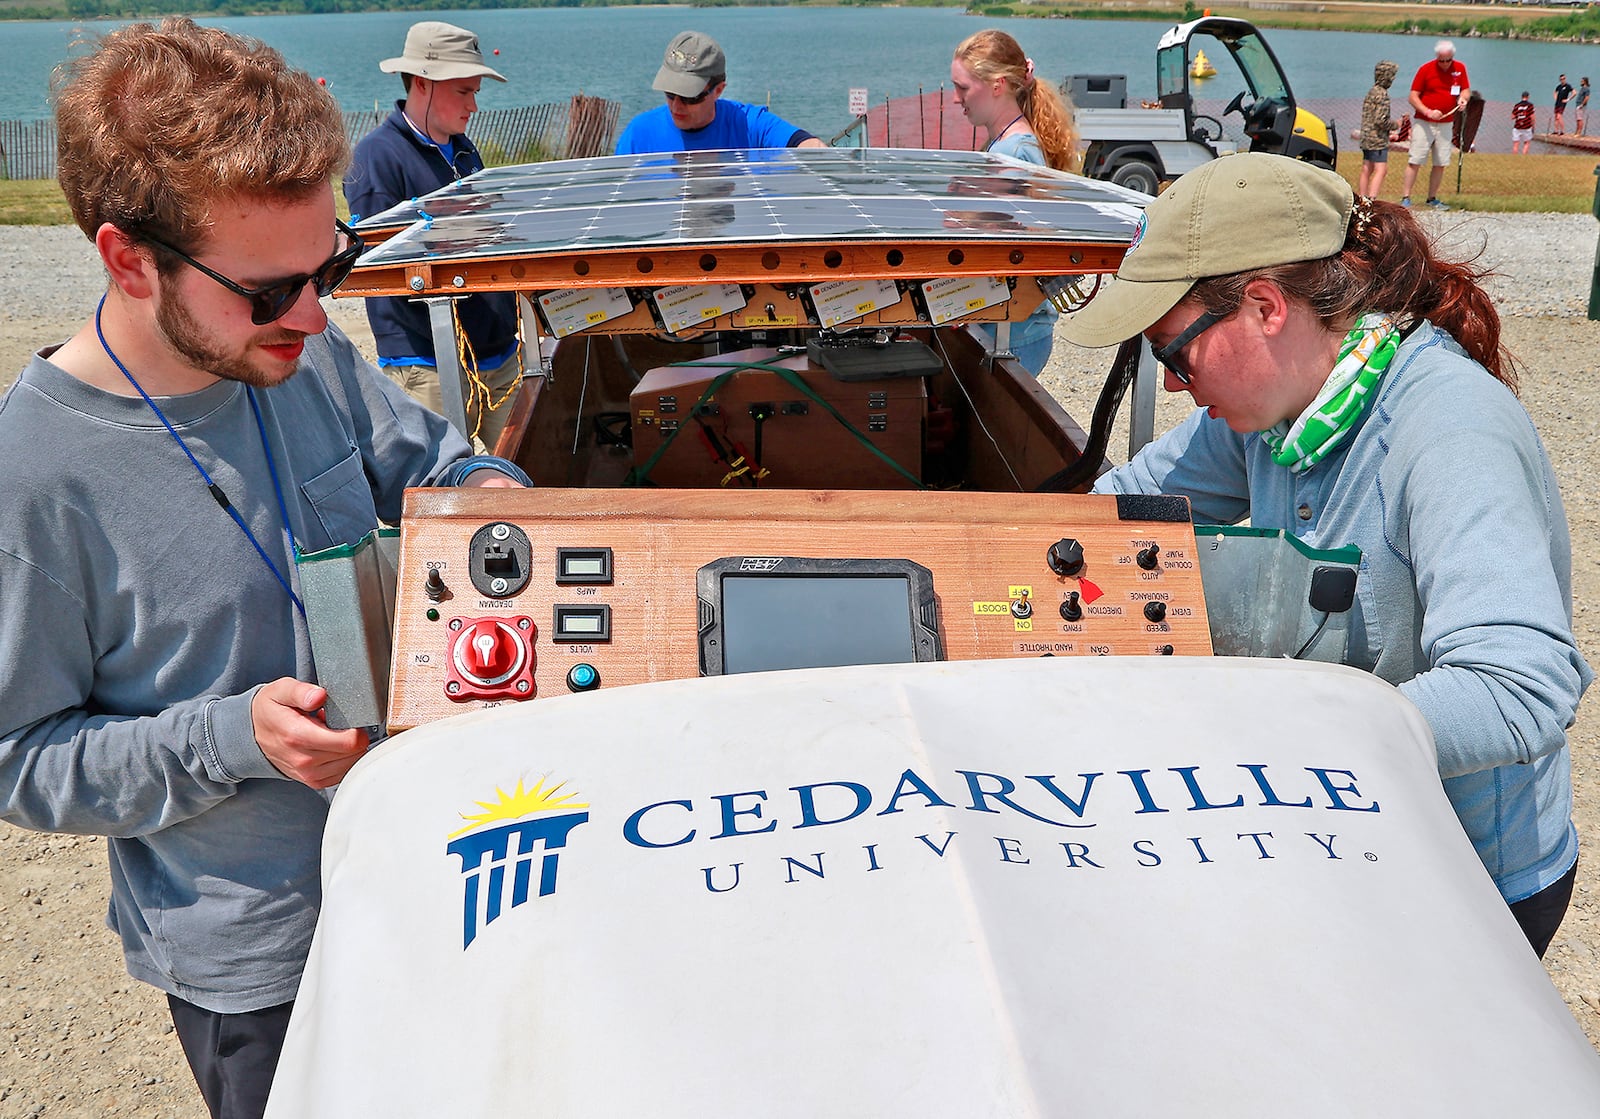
[[1025, 119]]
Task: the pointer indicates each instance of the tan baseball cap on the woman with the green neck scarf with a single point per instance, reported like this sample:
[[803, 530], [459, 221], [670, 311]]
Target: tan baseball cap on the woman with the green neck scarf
[[1233, 215]]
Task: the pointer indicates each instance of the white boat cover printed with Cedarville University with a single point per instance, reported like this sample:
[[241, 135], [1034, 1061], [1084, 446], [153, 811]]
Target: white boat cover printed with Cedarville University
[[1049, 888]]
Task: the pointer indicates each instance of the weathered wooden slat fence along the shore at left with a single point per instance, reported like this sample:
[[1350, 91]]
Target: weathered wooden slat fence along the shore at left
[[577, 129]]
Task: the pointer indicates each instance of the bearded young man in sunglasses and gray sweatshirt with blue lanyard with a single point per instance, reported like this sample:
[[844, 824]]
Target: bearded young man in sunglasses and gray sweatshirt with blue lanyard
[[162, 470]]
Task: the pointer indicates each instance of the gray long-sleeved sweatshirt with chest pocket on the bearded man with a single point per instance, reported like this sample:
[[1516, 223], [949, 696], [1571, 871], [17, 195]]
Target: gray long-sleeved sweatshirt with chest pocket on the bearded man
[[137, 624]]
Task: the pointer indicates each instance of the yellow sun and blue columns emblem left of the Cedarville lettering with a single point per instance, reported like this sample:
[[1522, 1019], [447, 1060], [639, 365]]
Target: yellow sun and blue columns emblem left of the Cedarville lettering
[[498, 864]]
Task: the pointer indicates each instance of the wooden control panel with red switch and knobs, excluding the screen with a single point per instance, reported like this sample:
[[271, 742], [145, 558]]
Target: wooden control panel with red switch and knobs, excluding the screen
[[506, 596]]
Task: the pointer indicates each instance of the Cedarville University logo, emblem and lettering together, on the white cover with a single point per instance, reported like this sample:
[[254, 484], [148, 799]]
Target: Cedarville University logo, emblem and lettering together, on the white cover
[[1041, 820]]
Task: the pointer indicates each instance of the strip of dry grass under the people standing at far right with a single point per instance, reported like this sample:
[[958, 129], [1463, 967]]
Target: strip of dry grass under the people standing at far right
[[1500, 183]]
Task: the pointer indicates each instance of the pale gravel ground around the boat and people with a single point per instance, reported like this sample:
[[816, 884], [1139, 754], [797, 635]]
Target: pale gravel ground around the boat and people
[[79, 1038]]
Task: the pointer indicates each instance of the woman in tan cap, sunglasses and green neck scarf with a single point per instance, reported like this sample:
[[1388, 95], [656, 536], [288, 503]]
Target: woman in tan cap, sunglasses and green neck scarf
[[1354, 390]]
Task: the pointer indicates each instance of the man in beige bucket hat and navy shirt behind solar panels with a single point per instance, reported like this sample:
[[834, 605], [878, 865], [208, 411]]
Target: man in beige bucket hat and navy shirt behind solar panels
[[418, 150]]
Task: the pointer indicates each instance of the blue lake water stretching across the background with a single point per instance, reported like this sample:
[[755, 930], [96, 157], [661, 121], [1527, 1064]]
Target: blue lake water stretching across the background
[[801, 60]]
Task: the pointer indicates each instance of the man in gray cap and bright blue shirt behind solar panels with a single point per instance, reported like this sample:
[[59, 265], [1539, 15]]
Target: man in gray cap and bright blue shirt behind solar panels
[[697, 118]]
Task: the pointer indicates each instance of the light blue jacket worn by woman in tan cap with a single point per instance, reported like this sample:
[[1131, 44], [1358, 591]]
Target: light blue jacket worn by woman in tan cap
[[1465, 595]]
